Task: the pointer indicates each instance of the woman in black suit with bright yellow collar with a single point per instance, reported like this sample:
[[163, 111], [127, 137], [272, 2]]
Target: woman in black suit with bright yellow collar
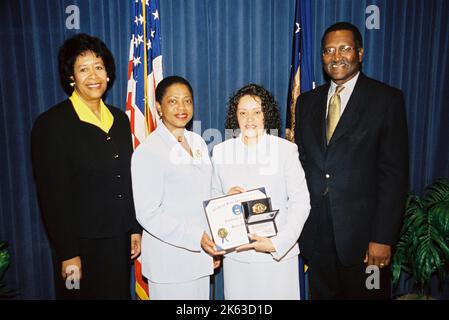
[[81, 153]]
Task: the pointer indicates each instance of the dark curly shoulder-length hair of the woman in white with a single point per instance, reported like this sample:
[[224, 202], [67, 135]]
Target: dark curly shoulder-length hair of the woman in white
[[271, 115]]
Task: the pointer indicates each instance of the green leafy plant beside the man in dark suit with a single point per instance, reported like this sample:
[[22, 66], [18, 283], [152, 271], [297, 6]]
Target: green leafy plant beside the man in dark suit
[[423, 248]]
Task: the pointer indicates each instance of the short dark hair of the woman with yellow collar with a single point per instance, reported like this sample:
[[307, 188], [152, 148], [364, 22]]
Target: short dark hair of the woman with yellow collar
[[77, 45]]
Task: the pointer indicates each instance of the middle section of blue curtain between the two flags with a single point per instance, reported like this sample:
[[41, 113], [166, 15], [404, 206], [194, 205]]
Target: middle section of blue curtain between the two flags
[[222, 45]]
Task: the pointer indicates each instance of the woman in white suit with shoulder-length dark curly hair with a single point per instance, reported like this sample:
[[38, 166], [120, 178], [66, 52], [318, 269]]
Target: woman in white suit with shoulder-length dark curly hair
[[267, 268]]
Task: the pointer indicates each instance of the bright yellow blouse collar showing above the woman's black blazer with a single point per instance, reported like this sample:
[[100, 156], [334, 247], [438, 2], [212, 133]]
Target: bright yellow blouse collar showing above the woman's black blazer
[[85, 114]]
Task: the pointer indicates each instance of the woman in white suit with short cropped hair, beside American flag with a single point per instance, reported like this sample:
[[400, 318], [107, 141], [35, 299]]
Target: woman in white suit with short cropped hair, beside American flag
[[171, 177]]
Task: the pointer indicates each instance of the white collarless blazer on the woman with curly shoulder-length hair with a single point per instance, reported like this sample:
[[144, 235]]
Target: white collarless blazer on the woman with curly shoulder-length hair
[[274, 164]]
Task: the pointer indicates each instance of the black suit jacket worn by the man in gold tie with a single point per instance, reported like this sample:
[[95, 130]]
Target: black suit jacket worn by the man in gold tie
[[363, 170]]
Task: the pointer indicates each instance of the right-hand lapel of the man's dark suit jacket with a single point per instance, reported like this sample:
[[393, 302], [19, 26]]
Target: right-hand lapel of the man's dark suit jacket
[[352, 111]]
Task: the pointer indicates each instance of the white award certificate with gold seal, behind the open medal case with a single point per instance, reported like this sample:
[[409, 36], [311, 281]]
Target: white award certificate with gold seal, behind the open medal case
[[226, 219]]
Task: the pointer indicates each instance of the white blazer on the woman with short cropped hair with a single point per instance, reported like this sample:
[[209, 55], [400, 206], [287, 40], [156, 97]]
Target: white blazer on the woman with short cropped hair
[[169, 187]]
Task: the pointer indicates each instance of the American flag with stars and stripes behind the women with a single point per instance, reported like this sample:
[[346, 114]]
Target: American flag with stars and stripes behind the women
[[144, 73]]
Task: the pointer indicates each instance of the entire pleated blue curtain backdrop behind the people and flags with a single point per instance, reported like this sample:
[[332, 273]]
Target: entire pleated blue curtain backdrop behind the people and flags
[[218, 46]]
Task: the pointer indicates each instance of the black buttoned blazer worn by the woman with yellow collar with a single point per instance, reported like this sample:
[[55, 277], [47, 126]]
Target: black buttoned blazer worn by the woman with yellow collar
[[83, 177]]
